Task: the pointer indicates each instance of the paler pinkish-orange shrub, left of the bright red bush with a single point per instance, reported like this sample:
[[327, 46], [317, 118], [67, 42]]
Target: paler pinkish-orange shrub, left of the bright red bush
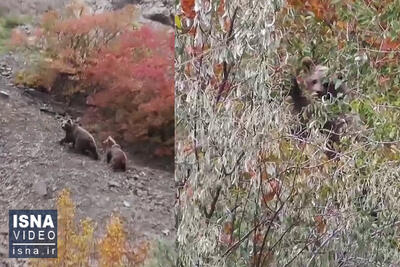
[[73, 37]]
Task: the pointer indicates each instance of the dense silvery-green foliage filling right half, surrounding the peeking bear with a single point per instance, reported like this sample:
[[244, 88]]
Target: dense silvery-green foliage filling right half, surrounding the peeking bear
[[250, 192]]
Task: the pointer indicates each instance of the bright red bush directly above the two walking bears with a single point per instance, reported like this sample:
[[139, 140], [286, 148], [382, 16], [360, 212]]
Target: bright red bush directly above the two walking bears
[[135, 72]]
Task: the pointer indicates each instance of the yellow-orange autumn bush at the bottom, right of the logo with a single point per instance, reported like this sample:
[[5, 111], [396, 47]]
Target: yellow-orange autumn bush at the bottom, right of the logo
[[77, 245]]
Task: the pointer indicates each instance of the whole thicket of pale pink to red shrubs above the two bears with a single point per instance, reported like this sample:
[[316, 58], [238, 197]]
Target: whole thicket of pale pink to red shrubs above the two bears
[[123, 69]]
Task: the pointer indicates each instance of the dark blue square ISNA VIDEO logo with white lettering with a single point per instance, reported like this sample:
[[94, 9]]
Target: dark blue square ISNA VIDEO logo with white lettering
[[32, 233]]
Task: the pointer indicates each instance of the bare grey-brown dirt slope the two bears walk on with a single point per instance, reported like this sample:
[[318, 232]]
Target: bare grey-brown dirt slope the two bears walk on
[[34, 167]]
